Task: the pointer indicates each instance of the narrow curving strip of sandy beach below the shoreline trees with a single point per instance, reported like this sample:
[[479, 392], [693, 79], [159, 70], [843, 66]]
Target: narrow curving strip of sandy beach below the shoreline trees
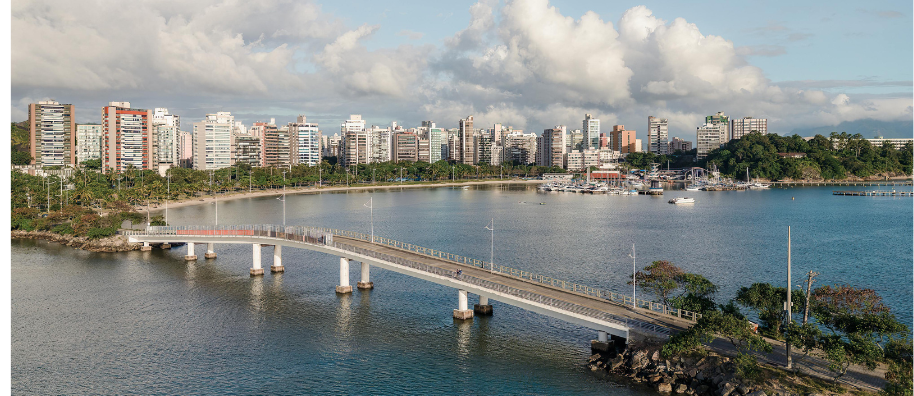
[[319, 190]]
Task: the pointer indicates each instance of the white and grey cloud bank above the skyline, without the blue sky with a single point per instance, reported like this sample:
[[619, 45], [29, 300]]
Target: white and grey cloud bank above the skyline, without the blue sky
[[521, 63]]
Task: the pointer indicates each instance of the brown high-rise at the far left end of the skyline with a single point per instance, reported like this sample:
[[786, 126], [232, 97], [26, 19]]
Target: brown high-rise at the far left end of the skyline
[[52, 133]]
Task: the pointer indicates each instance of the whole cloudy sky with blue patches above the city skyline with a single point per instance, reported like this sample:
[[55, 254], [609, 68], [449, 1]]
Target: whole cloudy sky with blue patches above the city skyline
[[531, 64]]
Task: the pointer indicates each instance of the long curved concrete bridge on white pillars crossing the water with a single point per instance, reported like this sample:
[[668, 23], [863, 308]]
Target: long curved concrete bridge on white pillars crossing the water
[[611, 314]]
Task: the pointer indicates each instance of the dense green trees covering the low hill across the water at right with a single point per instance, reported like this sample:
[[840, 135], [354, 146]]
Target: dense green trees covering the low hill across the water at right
[[836, 157]]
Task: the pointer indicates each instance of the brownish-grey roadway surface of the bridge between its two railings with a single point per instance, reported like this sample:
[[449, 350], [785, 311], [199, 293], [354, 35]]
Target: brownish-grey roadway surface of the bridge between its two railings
[[469, 272]]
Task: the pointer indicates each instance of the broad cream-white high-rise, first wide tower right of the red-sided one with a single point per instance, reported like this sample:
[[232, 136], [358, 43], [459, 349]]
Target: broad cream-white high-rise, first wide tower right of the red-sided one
[[213, 141]]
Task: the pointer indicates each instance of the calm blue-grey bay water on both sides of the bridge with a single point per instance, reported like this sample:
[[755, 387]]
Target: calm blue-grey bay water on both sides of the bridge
[[147, 323]]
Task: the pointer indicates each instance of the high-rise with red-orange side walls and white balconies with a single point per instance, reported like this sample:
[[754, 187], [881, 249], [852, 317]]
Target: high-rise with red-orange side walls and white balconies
[[128, 137]]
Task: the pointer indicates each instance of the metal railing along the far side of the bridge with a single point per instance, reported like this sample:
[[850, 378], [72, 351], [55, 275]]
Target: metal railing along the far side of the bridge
[[297, 233]]
